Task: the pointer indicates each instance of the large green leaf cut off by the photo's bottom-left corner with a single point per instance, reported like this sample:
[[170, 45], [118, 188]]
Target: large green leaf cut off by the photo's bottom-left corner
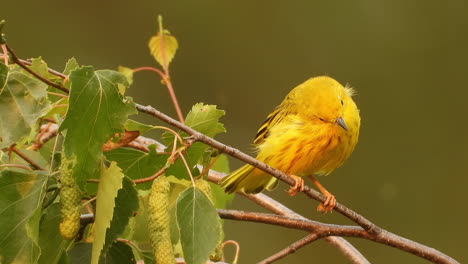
[[20, 203]]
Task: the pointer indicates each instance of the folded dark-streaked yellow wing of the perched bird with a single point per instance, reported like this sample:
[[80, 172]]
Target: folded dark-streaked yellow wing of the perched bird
[[283, 110]]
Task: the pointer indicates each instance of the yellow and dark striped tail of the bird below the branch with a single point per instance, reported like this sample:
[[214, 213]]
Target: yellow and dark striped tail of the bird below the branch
[[248, 179]]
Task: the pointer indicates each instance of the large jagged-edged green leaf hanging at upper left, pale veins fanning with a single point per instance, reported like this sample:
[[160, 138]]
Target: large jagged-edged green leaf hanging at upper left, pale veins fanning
[[96, 112]]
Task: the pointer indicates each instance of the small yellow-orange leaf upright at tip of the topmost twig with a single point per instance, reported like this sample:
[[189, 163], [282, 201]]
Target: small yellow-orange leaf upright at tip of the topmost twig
[[163, 46]]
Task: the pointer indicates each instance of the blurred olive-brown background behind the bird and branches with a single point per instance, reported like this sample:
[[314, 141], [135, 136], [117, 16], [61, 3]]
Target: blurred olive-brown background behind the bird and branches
[[406, 59]]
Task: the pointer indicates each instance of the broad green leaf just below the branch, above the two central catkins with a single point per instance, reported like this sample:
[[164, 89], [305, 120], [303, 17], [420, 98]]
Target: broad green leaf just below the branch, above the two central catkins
[[137, 164]]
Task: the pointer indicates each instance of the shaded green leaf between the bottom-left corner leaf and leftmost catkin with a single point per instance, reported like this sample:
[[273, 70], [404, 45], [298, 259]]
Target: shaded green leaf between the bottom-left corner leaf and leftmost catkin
[[51, 243]]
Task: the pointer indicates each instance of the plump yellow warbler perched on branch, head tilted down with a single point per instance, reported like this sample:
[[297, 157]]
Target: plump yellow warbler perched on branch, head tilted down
[[312, 132]]
